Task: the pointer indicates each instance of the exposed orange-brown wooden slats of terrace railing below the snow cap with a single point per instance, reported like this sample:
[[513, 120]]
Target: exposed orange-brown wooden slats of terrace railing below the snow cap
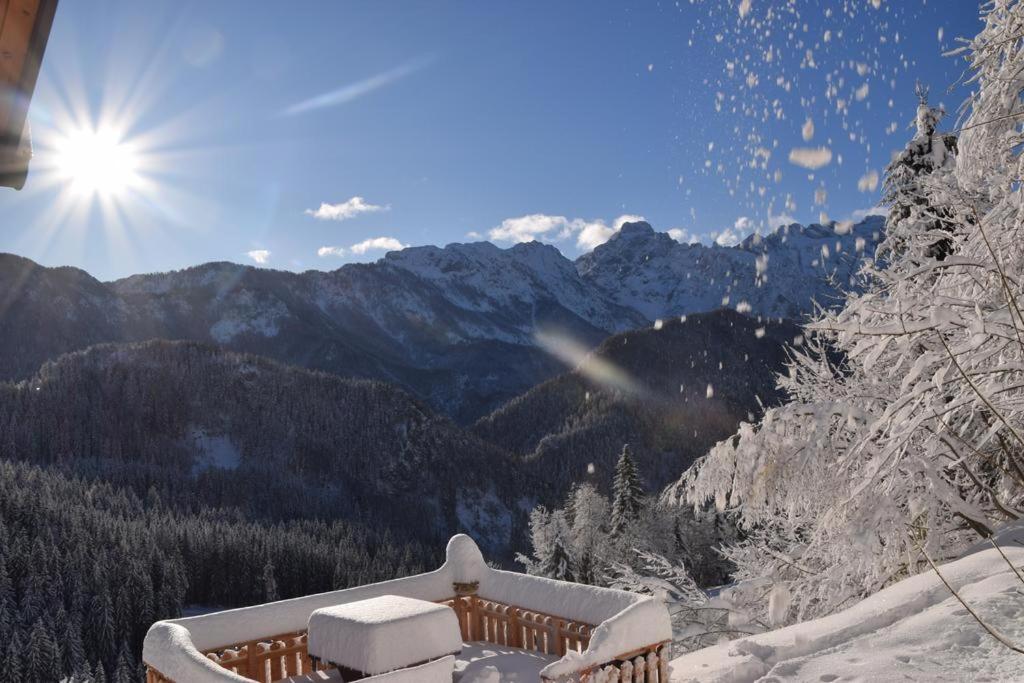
[[276, 658]]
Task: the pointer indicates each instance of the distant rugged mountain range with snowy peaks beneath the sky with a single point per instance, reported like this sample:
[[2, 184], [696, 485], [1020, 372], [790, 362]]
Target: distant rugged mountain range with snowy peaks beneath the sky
[[456, 325]]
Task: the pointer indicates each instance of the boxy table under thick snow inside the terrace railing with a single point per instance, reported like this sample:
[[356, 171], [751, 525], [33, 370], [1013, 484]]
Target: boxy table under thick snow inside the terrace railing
[[383, 634]]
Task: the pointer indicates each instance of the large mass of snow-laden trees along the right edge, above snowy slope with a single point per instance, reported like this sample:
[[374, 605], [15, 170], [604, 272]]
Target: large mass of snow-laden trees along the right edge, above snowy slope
[[906, 431]]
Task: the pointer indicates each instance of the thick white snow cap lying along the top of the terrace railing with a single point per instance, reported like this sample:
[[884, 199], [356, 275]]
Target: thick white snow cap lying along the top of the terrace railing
[[624, 624]]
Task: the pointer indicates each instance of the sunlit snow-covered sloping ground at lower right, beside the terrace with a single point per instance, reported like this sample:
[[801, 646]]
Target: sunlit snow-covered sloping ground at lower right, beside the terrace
[[913, 631]]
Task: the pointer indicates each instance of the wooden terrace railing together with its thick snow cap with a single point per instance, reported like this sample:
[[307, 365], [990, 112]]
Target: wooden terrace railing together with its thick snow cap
[[595, 633]]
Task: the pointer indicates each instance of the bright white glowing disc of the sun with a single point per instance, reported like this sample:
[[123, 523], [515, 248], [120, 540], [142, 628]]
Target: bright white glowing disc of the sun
[[97, 163]]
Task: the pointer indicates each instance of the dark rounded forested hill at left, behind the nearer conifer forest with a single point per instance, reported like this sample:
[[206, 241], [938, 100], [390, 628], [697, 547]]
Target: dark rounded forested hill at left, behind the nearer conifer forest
[[271, 441]]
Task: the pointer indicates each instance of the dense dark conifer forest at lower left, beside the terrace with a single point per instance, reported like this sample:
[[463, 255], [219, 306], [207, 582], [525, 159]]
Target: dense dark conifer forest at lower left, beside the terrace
[[88, 566]]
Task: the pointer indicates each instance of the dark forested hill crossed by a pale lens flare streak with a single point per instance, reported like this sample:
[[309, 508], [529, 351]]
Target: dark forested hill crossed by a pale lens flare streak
[[670, 392]]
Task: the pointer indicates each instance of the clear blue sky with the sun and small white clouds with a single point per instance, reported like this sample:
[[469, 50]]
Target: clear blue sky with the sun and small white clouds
[[432, 123]]
